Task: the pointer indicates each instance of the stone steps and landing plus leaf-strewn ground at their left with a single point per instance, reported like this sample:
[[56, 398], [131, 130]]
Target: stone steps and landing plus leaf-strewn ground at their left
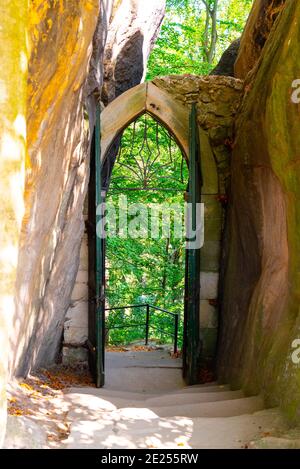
[[145, 404]]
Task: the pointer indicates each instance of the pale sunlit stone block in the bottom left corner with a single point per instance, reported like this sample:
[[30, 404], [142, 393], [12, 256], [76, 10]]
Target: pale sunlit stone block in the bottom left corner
[[23, 433]]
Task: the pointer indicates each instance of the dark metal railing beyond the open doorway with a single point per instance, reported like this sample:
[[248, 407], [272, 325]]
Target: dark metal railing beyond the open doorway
[[147, 324]]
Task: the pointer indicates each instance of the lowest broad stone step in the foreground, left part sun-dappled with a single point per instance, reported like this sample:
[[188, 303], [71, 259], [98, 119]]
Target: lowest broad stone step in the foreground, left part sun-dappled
[[145, 432]]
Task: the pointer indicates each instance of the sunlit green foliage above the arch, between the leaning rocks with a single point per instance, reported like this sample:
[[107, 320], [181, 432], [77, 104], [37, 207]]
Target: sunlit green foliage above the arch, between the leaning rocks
[[179, 48]]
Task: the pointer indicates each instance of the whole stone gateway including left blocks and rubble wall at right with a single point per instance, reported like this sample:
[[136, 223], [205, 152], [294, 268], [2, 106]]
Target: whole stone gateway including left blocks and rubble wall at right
[[168, 100]]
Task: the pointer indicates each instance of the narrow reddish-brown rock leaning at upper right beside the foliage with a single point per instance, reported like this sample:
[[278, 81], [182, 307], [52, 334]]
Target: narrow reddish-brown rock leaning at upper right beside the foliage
[[260, 22]]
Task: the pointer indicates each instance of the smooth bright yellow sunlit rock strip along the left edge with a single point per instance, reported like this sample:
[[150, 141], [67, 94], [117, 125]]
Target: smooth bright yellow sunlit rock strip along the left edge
[[13, 53]]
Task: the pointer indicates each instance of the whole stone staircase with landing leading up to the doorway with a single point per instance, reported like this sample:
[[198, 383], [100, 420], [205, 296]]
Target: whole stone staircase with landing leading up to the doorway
[[145, 404]]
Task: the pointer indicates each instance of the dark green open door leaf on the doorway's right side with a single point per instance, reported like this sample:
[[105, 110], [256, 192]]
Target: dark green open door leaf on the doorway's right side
[[191, 343]]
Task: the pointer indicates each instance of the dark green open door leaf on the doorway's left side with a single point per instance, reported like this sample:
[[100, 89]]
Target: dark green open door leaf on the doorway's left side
[[96, 243]]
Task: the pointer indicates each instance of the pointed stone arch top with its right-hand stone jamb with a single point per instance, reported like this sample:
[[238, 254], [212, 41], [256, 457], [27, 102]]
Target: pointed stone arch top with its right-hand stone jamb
[[174, 115]]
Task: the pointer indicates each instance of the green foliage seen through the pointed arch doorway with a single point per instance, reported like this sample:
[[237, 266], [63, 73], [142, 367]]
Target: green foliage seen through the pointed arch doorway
[[146, 270]]
